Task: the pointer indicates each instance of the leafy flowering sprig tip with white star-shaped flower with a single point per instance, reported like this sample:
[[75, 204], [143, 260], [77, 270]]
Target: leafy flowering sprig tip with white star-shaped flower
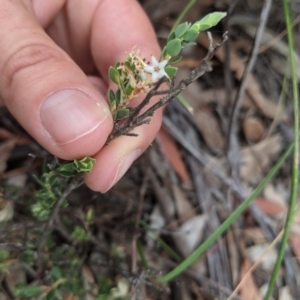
[[131, 77]]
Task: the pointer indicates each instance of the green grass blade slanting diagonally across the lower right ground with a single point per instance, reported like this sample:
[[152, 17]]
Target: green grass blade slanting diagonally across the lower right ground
[[223, 227]]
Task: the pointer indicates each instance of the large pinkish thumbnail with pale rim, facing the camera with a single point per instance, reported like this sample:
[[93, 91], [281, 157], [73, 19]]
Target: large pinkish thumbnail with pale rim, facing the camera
[[70, 114]]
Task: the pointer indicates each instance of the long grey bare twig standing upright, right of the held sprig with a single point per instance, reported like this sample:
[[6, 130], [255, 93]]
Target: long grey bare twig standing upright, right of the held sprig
[[232, 140]]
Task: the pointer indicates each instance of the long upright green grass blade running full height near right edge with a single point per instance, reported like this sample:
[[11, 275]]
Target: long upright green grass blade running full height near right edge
[[295, 170]]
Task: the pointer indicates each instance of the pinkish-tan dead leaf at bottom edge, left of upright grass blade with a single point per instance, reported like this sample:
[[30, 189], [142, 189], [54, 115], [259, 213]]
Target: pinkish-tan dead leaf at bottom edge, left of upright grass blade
[[249, 290]]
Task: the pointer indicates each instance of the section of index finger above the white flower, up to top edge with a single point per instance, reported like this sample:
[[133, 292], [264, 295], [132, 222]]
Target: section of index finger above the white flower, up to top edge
[[118, 27]]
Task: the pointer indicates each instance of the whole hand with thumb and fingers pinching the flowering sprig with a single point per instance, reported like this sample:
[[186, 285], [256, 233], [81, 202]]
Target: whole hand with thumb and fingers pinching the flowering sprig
[[48, 47]]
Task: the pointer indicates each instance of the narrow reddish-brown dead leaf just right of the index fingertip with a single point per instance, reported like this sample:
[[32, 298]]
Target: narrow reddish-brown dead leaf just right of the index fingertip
[[173, 155]]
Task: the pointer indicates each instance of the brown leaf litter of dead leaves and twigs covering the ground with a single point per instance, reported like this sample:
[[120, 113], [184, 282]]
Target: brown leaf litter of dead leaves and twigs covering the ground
[[177, 193]]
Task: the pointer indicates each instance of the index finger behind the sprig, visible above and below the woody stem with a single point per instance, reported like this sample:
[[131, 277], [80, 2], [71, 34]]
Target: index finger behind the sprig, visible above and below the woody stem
[[126, 27]]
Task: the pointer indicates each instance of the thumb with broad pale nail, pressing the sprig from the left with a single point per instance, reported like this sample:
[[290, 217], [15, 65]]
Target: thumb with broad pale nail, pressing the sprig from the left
[[44, 89]]
